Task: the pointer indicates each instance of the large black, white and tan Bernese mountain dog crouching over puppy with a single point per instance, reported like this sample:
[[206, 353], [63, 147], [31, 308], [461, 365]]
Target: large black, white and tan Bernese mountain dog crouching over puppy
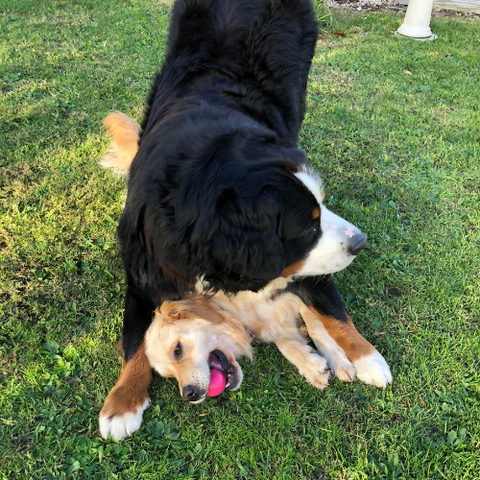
[[220, 198]]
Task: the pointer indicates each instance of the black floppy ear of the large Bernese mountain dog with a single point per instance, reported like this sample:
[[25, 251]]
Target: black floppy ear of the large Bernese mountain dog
[[245, 250]]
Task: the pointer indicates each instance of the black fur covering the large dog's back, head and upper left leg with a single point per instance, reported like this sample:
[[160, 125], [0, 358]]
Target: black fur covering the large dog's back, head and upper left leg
[[212, 191]]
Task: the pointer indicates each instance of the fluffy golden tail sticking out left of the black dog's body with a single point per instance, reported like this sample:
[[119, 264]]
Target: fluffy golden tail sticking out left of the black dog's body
[[124, 133]]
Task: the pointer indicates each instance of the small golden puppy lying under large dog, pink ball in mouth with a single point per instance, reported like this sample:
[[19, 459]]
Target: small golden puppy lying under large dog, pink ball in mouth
[[189, 338]]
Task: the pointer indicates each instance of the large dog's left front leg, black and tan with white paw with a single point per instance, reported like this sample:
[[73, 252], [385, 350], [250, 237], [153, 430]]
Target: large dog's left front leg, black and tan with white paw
[[123, 409]]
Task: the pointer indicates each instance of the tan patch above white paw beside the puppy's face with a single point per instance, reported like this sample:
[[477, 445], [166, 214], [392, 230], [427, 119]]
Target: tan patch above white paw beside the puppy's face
[[131, 390]]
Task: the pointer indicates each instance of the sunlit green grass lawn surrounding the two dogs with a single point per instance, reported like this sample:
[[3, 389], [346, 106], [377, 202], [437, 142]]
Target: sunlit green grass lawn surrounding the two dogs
[[400, 158]]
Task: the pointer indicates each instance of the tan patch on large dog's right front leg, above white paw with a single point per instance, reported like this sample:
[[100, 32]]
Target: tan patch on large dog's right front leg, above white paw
[[346, 336]]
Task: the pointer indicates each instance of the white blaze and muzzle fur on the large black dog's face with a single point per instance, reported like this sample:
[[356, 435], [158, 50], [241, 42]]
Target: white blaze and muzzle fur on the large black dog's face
[[332, 252]]
